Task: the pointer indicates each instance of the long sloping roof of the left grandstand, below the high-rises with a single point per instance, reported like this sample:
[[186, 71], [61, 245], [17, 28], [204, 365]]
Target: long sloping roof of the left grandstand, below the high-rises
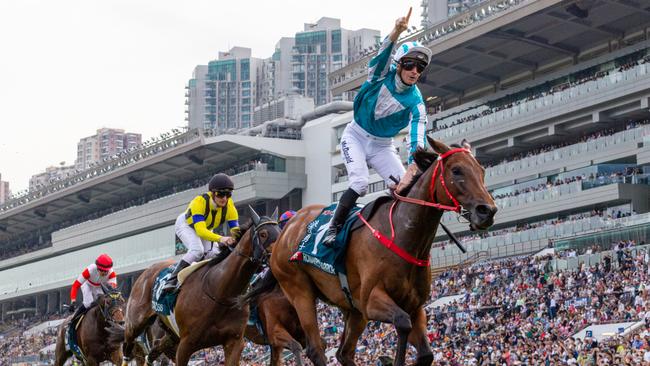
[[179, 163]]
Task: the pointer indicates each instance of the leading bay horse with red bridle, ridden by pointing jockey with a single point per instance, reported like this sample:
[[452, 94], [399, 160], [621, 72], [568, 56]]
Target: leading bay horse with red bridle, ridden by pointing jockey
[[385, 287]]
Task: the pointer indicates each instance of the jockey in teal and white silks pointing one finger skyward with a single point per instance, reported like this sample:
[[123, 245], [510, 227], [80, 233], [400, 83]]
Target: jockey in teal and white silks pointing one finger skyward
[[387, 102]]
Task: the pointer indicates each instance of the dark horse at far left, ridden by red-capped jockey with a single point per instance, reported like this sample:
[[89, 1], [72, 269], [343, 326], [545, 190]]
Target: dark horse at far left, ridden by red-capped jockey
[[93, 333]]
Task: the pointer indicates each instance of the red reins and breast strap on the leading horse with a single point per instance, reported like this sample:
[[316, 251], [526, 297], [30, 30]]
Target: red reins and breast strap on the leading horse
[[438, 171]]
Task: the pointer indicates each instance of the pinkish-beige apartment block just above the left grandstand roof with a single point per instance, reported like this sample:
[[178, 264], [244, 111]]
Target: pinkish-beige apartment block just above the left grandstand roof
[[106, 143]]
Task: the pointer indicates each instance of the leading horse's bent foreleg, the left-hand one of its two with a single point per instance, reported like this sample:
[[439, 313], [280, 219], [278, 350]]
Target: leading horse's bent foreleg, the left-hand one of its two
[[381, 307]]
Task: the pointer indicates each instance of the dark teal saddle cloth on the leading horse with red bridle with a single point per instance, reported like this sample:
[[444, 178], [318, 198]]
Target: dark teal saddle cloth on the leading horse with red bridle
[[311, 249]]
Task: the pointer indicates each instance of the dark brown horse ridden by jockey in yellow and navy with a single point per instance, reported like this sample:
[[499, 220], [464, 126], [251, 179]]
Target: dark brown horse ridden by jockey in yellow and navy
[[206, 310]]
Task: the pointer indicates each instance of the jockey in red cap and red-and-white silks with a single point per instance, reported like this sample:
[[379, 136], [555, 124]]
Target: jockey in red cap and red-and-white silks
[[90, 282]]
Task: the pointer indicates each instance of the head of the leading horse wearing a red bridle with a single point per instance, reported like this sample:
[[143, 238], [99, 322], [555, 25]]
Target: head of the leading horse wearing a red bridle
[[456, 180]]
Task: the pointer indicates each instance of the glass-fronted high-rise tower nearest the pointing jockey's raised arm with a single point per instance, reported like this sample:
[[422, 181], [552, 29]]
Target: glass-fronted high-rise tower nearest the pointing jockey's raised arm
[[321, 48]]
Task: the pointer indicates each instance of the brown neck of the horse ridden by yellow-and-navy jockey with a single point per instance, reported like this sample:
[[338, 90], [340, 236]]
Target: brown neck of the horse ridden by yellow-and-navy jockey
[[231, 277]]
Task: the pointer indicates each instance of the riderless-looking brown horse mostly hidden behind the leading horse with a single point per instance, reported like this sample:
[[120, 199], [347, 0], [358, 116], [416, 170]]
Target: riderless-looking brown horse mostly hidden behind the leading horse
[[278, 318]]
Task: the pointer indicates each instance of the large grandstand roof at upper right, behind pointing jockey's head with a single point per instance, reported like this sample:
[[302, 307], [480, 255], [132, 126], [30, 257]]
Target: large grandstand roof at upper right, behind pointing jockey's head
[[530, 37]]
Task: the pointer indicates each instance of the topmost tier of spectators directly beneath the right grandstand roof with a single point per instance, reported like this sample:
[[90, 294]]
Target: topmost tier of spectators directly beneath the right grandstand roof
[[549, 88]]
